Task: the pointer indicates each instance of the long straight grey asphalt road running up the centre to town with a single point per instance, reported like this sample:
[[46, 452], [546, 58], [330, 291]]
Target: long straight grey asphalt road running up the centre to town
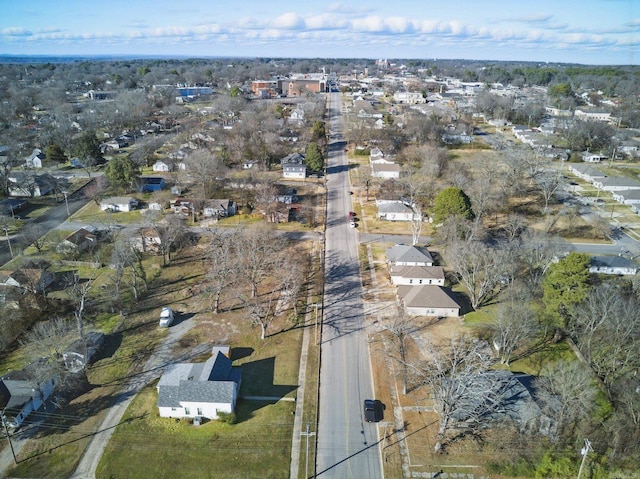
[[347, 446]]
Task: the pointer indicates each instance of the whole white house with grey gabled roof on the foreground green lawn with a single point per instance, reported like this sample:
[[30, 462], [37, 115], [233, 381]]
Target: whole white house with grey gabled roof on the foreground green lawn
[[189, 390]]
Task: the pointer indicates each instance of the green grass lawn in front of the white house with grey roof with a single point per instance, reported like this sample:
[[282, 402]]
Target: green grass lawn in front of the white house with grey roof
[[258, 445]]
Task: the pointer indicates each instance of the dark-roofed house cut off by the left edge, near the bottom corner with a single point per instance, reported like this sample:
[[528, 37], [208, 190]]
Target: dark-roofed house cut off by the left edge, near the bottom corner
[[21, 394]]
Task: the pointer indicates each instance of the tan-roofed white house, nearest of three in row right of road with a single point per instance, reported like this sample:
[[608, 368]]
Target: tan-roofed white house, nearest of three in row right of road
[[428, 301]]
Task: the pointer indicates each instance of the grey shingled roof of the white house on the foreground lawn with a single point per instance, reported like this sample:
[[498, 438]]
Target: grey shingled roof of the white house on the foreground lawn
[[214, 381]]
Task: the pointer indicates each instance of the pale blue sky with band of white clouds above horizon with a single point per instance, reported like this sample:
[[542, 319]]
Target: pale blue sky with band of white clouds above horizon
[[571, 31]]
